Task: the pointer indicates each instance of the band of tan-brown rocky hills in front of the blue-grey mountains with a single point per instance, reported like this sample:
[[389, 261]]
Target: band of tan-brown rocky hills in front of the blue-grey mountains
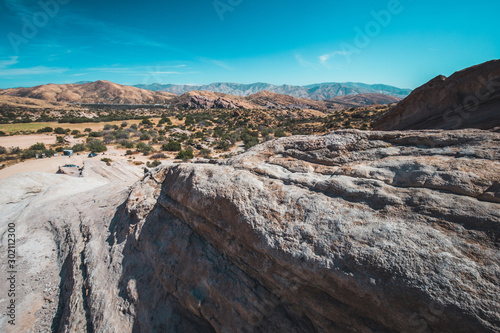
[[105, 92]]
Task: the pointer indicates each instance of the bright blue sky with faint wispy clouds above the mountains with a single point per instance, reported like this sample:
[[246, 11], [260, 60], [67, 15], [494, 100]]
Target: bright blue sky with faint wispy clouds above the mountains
[[402, 43]]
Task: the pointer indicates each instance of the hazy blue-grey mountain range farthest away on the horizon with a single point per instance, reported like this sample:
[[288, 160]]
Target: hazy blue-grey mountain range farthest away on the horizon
[[319, 92]]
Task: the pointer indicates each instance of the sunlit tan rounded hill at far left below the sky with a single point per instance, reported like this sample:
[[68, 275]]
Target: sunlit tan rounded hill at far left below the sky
[[93, 92]]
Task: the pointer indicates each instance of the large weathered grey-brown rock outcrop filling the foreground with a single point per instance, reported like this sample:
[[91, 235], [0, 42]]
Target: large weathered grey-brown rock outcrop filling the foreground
[[348, 232]]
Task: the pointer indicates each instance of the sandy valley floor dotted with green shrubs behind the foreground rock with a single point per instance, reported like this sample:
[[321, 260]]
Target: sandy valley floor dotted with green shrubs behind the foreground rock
[[188, 133]]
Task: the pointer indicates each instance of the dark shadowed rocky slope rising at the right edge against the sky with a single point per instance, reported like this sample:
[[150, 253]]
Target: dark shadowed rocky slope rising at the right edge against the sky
[[467, 99]]
